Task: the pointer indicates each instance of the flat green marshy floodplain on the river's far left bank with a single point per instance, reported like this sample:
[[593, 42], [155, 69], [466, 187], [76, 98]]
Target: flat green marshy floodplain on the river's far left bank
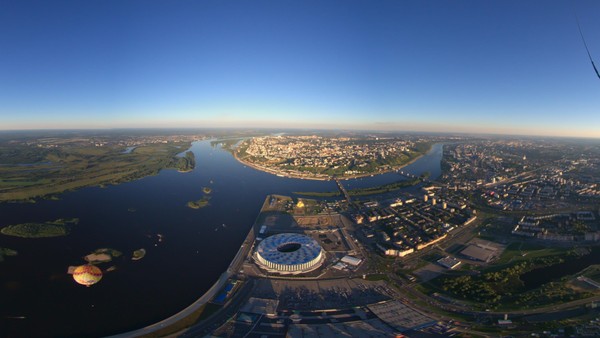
[[29, 172]]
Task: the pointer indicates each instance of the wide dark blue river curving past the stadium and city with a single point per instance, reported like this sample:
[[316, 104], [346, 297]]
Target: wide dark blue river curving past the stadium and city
[[39, 299]]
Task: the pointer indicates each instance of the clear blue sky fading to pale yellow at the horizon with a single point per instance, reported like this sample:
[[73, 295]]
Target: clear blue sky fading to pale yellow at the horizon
[[507, 67]]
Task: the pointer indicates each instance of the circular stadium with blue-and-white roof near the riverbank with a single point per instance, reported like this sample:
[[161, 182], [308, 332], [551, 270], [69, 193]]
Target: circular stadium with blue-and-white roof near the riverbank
[[289, 253]]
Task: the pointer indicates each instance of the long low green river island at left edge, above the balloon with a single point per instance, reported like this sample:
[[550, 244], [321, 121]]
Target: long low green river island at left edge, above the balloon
[[59, 227]]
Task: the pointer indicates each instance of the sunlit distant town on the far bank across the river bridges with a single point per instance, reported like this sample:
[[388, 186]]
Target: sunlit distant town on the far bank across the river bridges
[[317, 157]]
